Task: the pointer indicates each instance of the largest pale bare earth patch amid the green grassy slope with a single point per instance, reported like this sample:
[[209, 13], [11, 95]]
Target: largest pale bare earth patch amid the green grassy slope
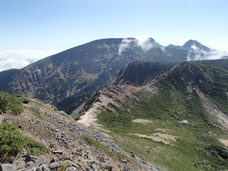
[[159, 137]]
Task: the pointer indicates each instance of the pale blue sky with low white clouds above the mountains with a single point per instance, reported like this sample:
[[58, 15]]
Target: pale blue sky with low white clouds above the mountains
[[33, 29]]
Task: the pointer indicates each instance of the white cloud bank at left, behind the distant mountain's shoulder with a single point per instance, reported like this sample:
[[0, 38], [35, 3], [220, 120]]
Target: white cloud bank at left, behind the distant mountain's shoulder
[[11, 59]]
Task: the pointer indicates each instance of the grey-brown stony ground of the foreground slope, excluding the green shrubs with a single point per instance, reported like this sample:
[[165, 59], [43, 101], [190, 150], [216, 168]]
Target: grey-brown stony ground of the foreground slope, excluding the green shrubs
[[70, 145]]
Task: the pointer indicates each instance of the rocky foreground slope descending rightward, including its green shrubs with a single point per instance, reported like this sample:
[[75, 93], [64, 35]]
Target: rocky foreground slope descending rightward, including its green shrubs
[[35, 136]]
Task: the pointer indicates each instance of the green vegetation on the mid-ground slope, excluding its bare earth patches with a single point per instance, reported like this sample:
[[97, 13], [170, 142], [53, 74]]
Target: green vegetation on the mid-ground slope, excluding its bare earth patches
[[197, 147]]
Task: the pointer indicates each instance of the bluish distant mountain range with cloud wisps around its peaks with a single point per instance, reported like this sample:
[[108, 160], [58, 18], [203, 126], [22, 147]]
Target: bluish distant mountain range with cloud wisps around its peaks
[[68, 78]]
